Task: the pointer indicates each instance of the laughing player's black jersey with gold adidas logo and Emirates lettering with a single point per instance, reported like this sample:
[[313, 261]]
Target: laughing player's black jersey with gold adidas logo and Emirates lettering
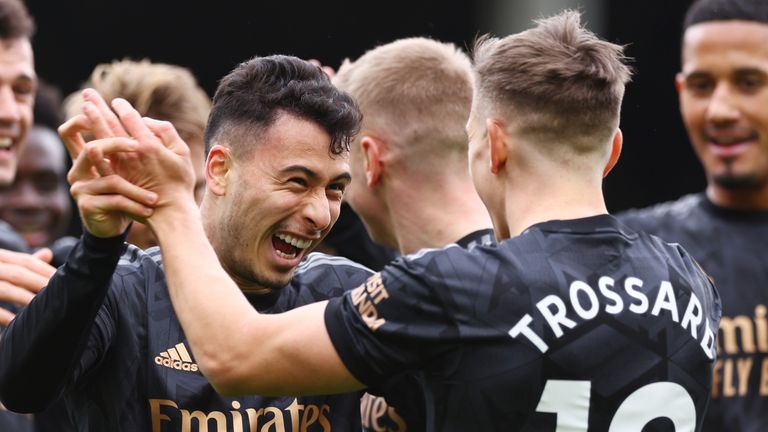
[[131, 369]]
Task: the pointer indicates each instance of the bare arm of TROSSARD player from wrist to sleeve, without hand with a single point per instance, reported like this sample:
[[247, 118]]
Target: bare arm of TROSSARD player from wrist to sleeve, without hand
[[238, 349]]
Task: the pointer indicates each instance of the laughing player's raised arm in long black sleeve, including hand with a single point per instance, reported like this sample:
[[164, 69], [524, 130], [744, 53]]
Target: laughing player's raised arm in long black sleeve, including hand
[[45, 344]]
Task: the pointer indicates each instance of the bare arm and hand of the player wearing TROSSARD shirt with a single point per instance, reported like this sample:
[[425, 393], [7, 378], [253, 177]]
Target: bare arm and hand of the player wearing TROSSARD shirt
[[239, 350]]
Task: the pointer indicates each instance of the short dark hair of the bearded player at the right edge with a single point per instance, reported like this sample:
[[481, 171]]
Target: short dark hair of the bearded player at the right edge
[[701, 11]]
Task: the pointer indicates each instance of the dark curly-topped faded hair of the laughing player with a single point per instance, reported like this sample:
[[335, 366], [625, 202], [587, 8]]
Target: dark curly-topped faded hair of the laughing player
[[257, 92]]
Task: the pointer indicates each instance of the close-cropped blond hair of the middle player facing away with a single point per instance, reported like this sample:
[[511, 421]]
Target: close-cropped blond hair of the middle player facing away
[[416, 91]]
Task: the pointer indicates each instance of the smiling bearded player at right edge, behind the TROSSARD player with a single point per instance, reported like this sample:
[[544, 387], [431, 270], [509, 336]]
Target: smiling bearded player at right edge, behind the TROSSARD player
[[723, 89]]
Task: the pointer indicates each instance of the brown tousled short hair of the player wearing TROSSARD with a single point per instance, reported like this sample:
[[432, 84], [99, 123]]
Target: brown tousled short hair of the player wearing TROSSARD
[[555, 82]]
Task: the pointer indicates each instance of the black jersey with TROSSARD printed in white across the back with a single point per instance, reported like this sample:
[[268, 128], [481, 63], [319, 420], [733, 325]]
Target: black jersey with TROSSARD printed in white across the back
[[578, 325]]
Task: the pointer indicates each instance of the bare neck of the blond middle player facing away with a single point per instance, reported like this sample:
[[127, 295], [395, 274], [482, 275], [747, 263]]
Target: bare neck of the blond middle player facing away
[[425, 218]]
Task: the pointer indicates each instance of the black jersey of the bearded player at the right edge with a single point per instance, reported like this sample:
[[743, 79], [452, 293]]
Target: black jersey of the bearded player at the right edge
[[731, 247]]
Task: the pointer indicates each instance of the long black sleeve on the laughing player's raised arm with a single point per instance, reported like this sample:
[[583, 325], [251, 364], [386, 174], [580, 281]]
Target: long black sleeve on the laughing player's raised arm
[[44, 345]]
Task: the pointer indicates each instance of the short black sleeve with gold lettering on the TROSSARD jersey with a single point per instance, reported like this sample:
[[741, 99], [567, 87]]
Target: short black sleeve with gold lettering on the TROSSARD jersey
[[393, 322]]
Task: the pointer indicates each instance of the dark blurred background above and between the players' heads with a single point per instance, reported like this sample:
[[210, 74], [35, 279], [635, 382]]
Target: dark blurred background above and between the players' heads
[[211, 37]]
